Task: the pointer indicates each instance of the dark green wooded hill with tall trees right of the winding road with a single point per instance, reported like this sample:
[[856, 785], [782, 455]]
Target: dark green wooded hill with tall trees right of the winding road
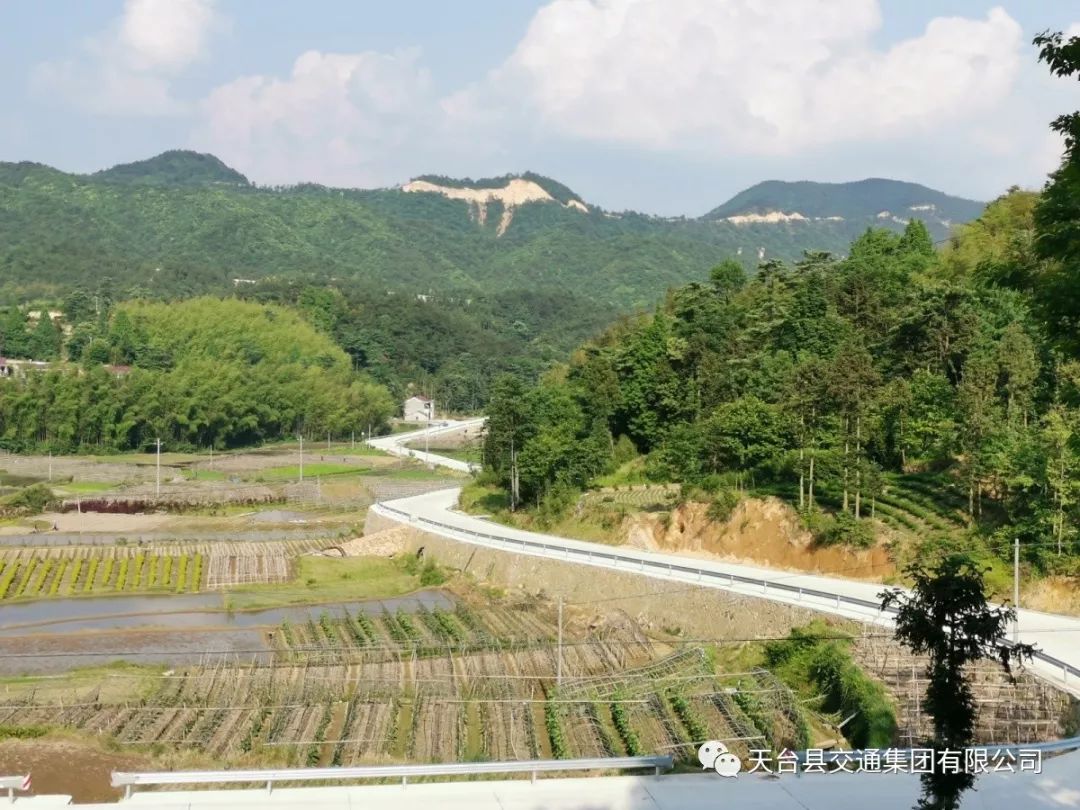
[[942, 384]]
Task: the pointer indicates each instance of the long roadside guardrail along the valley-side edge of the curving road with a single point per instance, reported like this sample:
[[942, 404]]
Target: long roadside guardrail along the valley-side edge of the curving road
[[861, 610]]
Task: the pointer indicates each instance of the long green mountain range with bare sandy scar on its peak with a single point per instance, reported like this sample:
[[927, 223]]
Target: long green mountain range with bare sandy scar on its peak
[[185, 224]]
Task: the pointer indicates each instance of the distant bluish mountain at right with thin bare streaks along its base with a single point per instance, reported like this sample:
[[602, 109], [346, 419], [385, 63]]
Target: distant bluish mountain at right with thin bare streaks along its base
[[870, 201]]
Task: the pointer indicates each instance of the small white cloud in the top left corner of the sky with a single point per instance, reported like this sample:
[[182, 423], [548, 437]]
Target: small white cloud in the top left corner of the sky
[[128, 70]]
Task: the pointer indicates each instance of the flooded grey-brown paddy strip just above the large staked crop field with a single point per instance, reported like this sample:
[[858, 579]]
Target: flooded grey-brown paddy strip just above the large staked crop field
[[186, 612]]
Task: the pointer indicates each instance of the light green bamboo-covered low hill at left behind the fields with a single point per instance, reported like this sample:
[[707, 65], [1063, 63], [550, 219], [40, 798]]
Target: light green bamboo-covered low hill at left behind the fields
[[196, 374]]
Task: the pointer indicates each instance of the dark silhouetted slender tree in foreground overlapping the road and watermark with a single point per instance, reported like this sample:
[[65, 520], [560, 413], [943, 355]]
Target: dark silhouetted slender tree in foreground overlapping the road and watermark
[[948, 618]]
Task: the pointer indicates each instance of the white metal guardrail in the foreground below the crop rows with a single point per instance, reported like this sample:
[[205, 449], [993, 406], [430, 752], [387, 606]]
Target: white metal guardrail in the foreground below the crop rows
[[269, 778]]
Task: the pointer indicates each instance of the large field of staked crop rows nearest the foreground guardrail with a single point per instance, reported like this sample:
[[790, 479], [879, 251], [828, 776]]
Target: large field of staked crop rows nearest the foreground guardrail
[[428, 686]]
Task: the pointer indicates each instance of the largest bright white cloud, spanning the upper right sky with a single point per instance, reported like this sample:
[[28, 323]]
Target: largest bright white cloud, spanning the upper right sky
[[747, 76]]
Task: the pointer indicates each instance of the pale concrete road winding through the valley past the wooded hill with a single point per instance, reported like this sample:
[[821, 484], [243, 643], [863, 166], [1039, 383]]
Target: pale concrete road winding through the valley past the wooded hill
[[1058, 638]]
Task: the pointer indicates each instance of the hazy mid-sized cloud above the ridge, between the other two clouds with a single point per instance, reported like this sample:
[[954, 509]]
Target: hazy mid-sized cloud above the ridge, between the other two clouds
[[337, 118]]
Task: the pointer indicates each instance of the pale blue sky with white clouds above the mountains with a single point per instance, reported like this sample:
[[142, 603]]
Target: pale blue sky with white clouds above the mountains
[[665, 106]]
